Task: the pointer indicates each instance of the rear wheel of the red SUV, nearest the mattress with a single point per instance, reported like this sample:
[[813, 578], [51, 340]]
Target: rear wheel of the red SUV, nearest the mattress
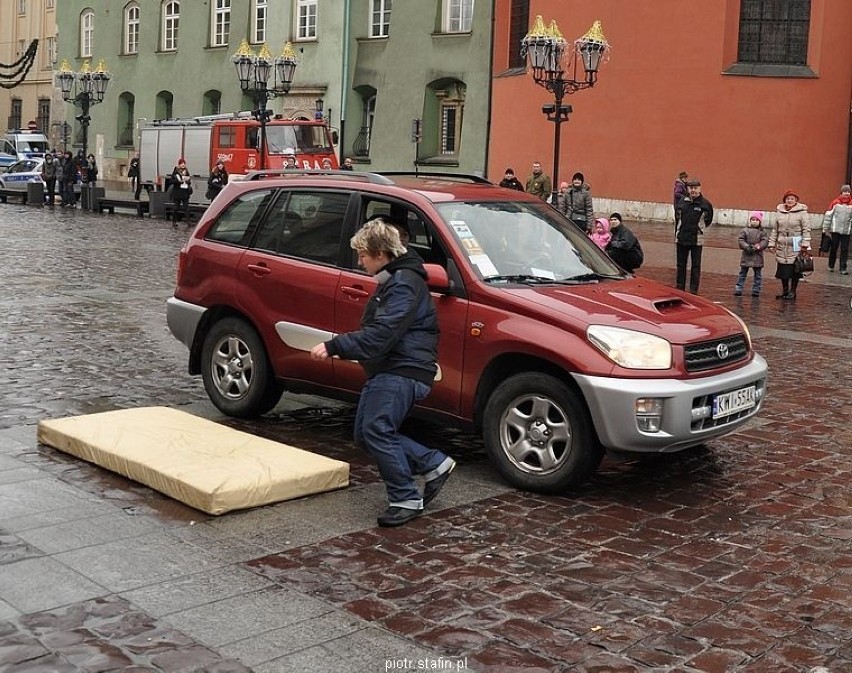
[[235, 370]]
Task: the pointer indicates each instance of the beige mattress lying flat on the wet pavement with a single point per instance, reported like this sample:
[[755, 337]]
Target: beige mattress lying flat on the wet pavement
[[201, 463]]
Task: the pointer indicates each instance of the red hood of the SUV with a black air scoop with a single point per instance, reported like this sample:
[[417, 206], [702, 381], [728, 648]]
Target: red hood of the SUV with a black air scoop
[[637, 304]]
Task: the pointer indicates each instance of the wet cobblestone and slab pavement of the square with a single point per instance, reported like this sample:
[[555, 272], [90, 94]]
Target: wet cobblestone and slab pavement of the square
[[730, 557]]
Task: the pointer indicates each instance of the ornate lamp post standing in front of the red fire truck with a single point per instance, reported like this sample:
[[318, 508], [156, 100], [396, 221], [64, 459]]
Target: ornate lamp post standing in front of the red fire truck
[[254, 71]]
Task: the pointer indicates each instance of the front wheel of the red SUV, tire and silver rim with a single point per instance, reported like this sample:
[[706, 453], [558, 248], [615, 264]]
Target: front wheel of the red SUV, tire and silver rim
[[539, 435]]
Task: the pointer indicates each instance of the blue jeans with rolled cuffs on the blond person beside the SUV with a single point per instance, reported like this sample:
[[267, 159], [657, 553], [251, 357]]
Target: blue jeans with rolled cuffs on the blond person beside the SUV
[[385, 401]]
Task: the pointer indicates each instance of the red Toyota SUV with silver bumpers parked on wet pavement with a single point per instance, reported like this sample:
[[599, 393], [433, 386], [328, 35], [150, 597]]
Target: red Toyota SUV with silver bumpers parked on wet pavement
[[547, 348]]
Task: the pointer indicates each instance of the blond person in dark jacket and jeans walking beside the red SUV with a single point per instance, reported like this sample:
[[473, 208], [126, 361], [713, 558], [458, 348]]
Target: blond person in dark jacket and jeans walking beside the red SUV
[[397, 347]]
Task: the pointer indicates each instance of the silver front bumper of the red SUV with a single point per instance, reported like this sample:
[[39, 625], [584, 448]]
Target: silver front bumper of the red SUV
[[685, 418]]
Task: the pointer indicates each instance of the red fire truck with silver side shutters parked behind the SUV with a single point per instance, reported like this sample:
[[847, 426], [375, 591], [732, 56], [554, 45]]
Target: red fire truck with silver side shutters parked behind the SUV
[[236, 140]]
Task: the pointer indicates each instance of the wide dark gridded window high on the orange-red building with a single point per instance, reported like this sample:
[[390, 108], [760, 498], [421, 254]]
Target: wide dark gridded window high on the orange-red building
[[774, 32]]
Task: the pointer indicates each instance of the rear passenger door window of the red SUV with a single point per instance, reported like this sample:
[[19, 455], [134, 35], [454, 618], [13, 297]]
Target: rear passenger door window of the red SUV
[[305, 224]]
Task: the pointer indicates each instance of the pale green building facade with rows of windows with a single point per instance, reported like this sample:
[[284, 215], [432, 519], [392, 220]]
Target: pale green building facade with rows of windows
[[376, 66]]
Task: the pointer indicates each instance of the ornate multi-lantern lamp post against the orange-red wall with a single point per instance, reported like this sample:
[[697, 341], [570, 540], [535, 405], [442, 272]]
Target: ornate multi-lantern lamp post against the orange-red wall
[[545, 49]]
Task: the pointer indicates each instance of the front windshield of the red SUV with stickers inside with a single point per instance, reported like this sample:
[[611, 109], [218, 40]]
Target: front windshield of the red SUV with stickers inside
[[525, 242]]
